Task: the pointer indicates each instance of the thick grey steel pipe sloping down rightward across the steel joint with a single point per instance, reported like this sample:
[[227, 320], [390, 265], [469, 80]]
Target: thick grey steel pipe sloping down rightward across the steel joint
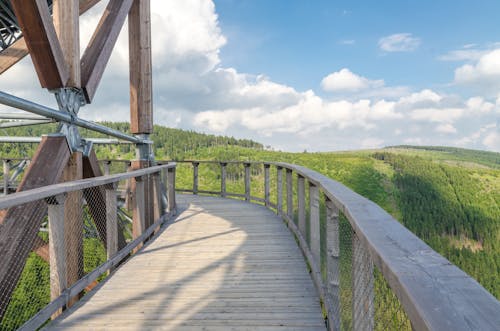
[[15, 102]]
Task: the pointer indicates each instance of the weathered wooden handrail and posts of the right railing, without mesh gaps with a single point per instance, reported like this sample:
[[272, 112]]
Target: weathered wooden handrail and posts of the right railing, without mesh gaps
[[434, 293]]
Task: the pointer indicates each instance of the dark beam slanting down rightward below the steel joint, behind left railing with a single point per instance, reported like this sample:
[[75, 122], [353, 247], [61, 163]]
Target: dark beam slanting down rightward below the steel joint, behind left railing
[[96, 199]]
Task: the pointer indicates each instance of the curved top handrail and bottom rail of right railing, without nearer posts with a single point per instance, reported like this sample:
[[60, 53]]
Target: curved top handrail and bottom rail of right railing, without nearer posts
[[435, 294]]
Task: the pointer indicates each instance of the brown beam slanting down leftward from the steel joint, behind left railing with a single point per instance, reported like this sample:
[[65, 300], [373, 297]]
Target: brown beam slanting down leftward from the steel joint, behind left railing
[[20, 225]]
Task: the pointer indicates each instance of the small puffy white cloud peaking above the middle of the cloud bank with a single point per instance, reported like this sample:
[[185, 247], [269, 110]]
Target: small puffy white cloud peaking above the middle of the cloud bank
[[345, 80]]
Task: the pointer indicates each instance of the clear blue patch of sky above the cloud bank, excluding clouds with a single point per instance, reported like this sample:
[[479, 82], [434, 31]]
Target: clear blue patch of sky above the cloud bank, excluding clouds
[[298, 42]]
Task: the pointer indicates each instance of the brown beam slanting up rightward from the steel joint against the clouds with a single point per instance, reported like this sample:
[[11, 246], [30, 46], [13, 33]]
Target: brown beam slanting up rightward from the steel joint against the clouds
[[98, 52]]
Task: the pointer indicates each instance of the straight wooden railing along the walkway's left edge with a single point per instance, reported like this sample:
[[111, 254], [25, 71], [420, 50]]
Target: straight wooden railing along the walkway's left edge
[[158, 180]]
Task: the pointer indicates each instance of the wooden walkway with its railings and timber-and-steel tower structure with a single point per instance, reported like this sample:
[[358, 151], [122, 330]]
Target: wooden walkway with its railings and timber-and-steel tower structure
[[272, 246]]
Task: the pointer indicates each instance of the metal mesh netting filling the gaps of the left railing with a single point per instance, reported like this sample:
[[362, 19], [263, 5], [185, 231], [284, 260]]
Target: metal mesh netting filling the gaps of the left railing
[[84, 232]]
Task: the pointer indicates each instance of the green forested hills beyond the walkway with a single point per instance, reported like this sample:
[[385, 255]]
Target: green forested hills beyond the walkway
[[449, 197]]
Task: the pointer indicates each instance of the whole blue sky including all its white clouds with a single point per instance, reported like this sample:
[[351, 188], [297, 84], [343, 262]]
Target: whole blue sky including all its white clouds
[[314, 75]]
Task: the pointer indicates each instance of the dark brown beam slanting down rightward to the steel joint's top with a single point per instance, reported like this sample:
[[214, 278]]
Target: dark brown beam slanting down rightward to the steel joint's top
[[41, 38]]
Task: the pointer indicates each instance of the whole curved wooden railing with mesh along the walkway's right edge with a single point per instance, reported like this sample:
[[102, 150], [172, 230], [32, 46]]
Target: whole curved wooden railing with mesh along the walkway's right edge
[[432, 293]]
